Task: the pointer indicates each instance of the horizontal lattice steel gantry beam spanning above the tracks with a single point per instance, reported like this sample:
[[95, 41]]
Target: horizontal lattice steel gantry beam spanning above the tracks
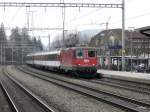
[[92, 5]]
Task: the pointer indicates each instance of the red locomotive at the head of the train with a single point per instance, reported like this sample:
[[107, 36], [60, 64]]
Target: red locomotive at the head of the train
[[80, 60]]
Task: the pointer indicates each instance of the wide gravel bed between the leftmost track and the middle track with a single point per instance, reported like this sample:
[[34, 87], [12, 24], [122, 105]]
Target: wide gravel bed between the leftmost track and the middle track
[[63, 99]]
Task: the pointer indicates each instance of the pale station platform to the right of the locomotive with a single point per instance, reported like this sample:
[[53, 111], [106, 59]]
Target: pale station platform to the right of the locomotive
[[130, 76]]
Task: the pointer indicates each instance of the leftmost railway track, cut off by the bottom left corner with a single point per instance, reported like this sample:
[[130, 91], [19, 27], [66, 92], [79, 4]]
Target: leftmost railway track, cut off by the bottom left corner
[[20, 98]]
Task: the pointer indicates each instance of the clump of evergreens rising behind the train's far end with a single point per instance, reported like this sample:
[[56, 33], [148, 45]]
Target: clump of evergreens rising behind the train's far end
[[22, 44]]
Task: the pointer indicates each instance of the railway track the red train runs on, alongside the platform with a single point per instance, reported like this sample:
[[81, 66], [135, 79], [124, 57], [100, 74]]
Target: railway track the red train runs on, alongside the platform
[[127, 85]]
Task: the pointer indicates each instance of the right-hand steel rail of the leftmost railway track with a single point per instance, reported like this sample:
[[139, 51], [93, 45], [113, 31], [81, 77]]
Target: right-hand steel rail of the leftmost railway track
[[31, 94]]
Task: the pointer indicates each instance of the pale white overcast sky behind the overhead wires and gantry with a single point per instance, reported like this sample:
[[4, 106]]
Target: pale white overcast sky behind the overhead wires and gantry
[[137, 14]]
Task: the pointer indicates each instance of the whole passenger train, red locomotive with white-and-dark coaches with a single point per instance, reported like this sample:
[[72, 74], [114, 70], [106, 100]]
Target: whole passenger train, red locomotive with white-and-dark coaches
[[77, 60]]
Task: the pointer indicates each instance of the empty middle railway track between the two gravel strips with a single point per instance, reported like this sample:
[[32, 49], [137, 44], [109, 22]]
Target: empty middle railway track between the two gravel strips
[[111, 98]]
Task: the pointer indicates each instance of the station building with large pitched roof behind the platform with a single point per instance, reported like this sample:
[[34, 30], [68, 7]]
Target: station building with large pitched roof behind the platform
[[137, 45]]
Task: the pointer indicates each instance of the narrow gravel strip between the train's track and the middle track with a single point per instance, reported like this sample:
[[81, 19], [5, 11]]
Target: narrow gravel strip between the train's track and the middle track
[[123, 92]]
